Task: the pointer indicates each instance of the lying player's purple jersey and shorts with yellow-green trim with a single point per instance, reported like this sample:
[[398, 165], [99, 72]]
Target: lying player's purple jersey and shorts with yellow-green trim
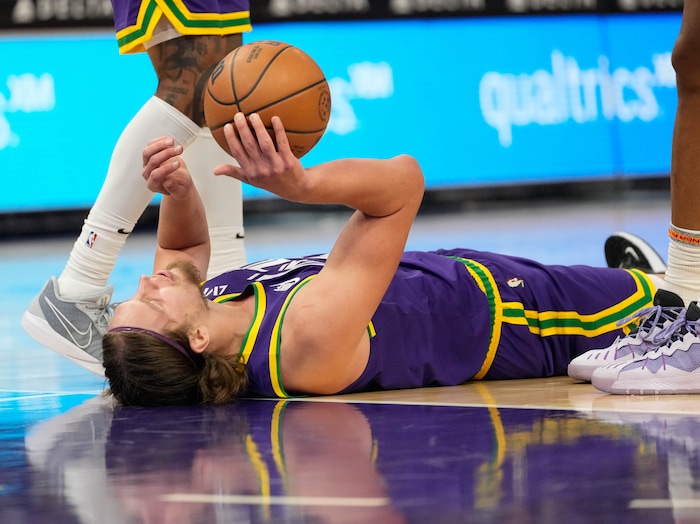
[[450, 316]]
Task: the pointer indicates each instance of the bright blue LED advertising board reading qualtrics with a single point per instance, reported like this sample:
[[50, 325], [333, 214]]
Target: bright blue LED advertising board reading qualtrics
[[479, 101]]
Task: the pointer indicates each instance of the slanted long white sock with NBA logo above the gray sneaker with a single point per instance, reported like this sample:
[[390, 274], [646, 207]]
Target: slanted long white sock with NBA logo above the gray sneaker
[[122, 199]]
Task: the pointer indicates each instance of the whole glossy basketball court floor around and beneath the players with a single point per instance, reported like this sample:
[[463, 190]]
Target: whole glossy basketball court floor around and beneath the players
[[529, 451]]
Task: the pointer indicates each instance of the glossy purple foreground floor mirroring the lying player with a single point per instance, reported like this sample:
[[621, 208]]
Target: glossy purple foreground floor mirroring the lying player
[[296, 461]]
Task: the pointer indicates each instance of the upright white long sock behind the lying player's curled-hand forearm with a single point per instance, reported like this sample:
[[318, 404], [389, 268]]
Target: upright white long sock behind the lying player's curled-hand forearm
[[222, 200]]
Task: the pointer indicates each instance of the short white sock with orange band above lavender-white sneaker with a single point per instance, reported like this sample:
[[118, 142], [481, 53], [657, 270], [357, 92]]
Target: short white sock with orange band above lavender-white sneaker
[[683, 273]]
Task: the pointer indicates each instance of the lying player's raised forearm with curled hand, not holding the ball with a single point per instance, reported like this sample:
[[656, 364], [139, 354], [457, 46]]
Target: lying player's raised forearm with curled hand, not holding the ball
[[182, 223]]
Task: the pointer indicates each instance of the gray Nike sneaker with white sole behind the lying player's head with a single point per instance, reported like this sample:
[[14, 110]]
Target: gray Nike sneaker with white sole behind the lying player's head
[[73, 329]]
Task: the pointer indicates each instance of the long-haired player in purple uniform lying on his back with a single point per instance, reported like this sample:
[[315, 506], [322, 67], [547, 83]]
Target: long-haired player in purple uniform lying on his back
[[366, 316]]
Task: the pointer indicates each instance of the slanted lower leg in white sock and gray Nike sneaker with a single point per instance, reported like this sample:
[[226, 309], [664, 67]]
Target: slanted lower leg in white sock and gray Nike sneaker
[[72, 311]]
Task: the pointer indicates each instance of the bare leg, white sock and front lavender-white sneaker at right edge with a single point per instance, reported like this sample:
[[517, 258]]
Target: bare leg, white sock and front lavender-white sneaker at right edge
[[675, 366]]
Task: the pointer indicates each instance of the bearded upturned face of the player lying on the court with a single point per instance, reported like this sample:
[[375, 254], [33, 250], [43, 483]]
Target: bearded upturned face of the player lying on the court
[[164, 300]]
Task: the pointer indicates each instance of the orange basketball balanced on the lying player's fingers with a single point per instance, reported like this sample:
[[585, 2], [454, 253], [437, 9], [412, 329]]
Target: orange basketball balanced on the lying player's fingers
[[272, 79]]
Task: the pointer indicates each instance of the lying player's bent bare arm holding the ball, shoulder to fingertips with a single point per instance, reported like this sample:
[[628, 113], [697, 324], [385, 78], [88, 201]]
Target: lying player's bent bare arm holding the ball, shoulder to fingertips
[[324, 346]]
